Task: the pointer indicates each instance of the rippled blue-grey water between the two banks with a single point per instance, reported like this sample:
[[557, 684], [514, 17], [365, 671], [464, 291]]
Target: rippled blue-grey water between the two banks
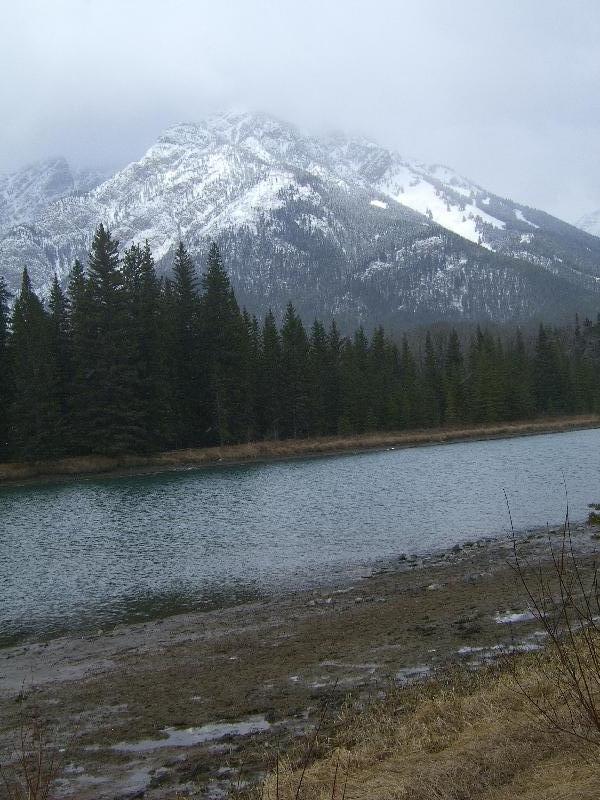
[[97, 551]]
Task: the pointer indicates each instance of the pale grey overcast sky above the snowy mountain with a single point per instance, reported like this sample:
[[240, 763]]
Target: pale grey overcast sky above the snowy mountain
[[505, 91]]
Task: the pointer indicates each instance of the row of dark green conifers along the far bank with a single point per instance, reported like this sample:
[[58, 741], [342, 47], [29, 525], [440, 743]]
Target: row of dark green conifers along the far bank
[[122, 361]]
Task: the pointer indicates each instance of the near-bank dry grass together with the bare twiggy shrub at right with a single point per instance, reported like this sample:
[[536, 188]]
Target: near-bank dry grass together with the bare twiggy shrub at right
[[528, 727]]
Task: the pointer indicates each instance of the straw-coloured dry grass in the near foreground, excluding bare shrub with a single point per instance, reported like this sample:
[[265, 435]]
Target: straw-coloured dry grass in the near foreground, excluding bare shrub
[[468, 737]]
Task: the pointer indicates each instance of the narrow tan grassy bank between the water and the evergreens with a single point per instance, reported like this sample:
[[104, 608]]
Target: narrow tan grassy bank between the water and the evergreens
[[273, 450]]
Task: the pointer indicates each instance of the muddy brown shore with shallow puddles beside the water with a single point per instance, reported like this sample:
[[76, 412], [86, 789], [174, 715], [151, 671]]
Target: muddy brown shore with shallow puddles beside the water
[[232, 682]]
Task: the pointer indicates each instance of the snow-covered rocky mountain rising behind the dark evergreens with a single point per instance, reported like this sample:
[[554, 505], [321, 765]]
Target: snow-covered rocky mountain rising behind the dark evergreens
[[337, 225]]
